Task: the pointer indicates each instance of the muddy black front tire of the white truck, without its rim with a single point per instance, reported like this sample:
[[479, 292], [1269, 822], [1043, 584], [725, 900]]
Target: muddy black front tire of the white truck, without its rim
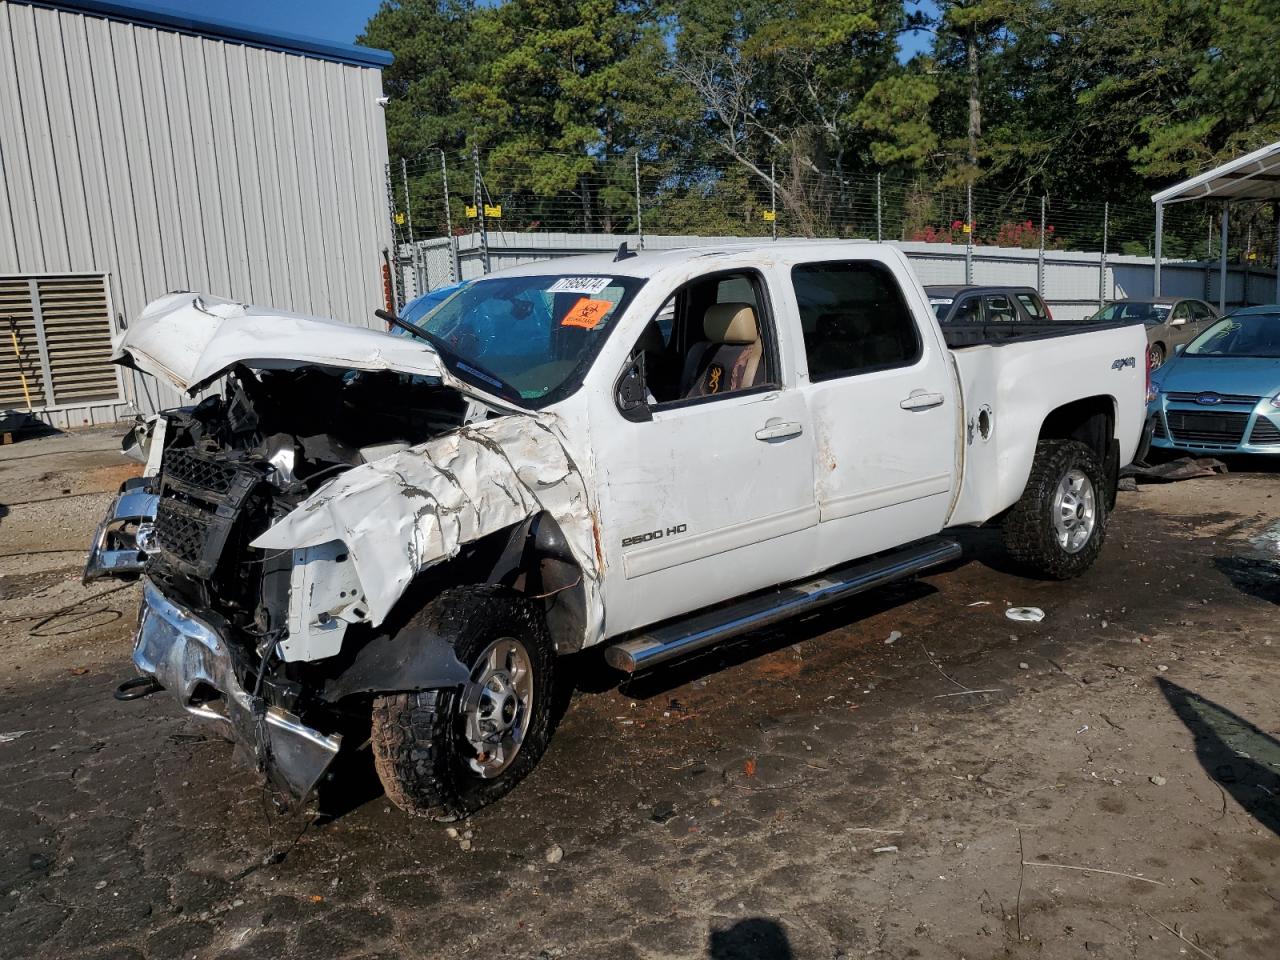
[[419, 742]]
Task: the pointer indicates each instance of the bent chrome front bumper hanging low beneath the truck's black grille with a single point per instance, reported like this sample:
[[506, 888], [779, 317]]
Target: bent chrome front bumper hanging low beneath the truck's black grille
[[190, 660]]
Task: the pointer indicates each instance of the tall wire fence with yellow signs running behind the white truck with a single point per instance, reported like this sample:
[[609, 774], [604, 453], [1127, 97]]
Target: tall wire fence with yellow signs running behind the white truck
[[490, 196]]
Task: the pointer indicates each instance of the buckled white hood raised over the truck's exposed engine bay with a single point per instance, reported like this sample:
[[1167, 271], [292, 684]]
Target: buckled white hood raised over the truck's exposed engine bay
[[191, 340]]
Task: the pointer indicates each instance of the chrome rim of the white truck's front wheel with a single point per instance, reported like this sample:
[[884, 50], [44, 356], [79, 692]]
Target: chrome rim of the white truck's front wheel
[[500, 706]]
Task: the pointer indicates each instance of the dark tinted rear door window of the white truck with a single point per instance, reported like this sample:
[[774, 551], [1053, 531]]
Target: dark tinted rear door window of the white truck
[[854, 319]]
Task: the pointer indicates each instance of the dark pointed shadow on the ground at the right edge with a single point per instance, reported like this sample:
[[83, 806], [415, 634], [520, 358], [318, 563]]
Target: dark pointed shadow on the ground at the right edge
[[1241, 758]]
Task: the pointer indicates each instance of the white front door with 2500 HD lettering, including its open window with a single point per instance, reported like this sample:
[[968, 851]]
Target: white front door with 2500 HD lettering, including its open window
[[706, 492]]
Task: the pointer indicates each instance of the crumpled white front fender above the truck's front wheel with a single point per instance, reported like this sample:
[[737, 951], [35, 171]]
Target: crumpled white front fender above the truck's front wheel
[[413, 510]]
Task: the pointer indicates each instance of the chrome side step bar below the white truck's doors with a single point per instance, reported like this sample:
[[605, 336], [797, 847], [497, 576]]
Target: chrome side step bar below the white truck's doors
[[685, 637]]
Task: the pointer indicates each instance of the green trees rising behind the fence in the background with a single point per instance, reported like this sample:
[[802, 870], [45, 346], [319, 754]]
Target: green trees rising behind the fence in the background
[[1082, 100]]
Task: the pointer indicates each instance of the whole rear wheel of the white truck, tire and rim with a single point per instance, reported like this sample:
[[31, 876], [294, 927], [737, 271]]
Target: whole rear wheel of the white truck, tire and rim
[[1059, 525]]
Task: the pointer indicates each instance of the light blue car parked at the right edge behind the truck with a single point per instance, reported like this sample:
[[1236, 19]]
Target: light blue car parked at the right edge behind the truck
[[1222, 392]]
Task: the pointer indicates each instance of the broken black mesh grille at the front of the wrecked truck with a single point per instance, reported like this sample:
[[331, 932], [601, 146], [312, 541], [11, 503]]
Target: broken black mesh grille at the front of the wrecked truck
[[202, 499]]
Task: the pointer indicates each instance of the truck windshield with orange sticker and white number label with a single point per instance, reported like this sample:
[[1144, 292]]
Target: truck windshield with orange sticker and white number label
[[536, 335]]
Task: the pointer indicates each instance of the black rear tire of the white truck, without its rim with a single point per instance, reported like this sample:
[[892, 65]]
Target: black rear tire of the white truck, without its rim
[[1031, 536]]
